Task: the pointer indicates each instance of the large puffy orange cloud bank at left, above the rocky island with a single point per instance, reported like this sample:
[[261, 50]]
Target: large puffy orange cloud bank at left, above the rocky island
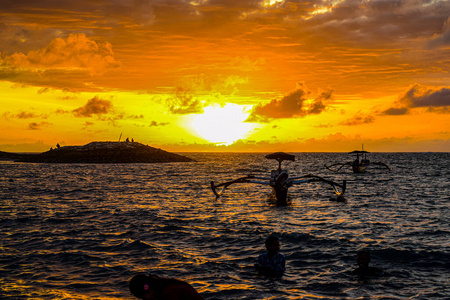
[[64, 63]]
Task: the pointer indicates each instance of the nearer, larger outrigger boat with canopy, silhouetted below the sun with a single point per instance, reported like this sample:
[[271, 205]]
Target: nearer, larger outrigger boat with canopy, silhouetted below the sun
[[280, 181]]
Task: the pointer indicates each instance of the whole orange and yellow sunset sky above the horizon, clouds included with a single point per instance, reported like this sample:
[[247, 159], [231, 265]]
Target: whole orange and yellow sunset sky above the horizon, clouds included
[[226, 75]]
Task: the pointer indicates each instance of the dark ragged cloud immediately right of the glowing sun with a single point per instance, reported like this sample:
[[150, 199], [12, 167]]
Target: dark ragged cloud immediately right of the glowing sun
[[295, 104]]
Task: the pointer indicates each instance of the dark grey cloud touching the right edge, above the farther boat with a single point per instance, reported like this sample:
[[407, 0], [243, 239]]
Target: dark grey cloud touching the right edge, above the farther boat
[[435, 99]]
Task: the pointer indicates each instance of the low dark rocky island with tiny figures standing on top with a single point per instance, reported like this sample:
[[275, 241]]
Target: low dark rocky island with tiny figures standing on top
[[100, 152]]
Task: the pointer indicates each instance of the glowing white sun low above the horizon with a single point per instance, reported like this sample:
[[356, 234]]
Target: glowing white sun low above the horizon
[[222, 124]]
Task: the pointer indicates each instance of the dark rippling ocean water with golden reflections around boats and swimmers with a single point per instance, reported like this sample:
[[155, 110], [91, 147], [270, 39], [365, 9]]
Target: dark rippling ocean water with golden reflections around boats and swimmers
[[81, 231]]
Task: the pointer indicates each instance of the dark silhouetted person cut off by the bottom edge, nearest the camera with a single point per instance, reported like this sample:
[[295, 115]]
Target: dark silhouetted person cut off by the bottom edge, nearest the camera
[[152, 287]]
